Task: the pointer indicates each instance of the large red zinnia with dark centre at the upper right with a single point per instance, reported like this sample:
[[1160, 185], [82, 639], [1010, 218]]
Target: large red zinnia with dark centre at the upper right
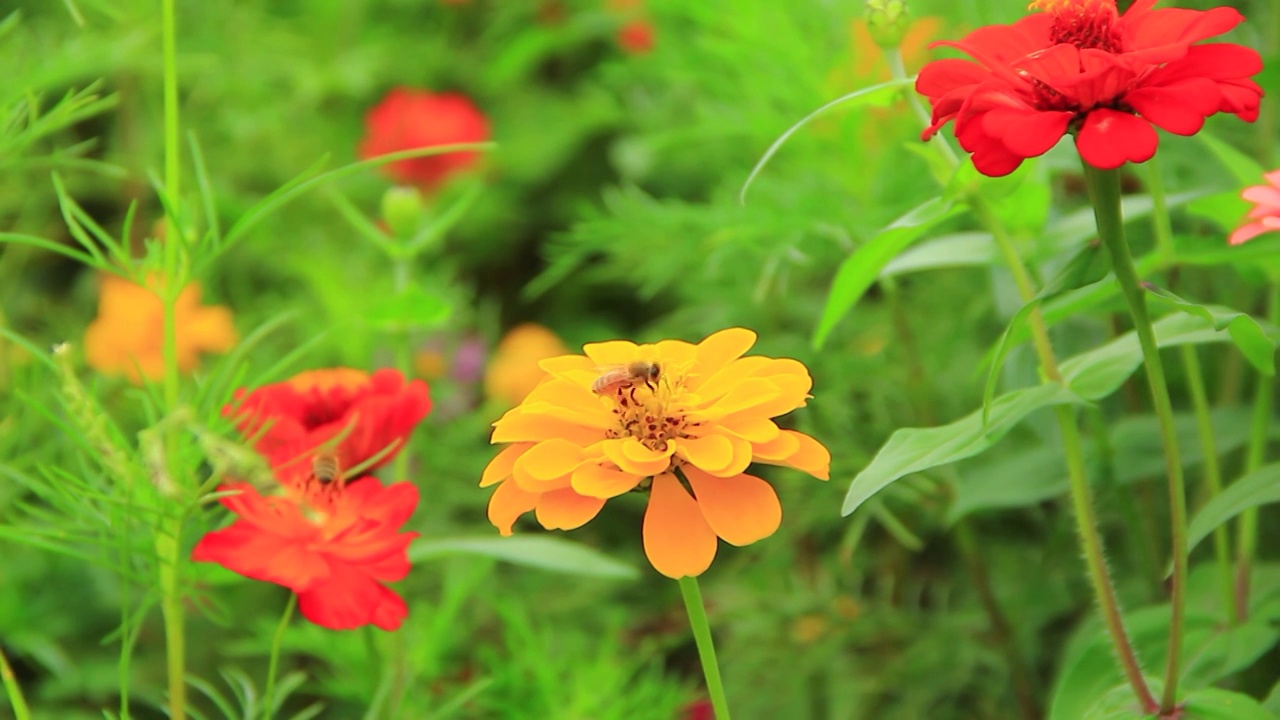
[[1084, 69]]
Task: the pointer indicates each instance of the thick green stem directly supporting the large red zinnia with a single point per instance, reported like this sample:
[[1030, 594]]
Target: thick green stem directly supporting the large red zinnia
[[1105, 194]]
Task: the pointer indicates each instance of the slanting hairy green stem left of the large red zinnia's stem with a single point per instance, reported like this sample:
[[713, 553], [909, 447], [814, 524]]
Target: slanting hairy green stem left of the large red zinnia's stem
[[1077, 472]]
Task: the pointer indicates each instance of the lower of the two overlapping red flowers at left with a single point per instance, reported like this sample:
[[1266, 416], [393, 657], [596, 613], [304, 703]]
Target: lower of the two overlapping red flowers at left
[[335, 548]]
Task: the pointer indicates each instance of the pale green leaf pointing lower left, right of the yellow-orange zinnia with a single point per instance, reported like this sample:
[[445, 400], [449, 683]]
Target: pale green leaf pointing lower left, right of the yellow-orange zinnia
[[912, 450]]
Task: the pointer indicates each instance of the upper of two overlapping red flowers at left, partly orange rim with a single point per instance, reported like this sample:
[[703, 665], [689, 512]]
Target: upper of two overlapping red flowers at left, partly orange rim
[[350, 413]]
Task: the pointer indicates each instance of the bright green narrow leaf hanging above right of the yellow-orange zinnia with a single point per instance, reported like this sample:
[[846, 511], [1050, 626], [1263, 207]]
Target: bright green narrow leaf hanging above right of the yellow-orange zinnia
[[861, 270]]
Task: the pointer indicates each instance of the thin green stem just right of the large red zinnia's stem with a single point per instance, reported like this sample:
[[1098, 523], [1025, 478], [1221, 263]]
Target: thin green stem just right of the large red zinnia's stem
[[1164, 233]]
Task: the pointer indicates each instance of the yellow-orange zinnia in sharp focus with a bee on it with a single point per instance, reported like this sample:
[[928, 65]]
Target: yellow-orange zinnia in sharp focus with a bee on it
[[682, 422]]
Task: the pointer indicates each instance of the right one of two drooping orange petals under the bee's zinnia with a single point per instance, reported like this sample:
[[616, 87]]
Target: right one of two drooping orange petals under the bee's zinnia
[[742, 509]]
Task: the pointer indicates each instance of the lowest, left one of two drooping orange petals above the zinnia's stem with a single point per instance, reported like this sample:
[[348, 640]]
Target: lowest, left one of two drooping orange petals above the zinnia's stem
[[676, 536]]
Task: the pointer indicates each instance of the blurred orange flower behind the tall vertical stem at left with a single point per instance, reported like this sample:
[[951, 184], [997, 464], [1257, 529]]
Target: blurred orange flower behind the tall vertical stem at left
[[129, 335]]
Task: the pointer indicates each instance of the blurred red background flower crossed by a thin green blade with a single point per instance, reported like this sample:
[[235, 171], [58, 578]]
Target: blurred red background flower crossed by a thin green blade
[[408, 120]]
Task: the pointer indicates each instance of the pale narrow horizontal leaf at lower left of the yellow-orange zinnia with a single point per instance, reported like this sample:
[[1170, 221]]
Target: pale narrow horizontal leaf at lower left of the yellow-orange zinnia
[[533, 552]]
